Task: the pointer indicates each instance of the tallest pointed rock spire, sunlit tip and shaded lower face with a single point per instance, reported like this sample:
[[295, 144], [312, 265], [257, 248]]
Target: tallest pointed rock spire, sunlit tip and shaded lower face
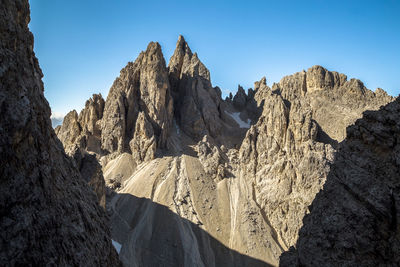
[[197, 103]]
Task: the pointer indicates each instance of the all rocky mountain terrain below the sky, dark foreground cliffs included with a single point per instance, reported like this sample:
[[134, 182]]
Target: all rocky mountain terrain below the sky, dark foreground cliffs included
[[303, 173]]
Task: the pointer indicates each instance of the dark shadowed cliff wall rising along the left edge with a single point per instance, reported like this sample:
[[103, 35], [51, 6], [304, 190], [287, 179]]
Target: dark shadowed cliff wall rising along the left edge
[[49, 216]]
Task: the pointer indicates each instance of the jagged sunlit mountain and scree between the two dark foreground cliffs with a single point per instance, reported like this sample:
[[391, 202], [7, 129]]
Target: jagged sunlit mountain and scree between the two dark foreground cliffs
[[195, 180]]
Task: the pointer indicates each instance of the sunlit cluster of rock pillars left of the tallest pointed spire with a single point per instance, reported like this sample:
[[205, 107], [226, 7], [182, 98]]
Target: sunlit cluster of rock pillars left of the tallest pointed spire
[[136, 118]]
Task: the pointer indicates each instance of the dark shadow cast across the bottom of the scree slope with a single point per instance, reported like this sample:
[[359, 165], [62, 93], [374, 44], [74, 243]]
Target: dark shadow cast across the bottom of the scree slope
[[152, 235]]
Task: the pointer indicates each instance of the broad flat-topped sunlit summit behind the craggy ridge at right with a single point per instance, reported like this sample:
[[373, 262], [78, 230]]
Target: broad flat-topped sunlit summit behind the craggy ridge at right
[[332, 98]]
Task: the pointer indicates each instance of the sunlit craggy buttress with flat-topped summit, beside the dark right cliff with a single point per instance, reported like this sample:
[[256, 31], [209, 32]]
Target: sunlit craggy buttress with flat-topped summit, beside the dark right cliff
[[287, 154]]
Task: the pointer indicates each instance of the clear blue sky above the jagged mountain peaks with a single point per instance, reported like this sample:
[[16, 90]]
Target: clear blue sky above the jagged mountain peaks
[[82, 45]]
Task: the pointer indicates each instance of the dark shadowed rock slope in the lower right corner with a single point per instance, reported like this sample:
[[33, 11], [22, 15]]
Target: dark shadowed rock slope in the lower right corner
[[355, 219]]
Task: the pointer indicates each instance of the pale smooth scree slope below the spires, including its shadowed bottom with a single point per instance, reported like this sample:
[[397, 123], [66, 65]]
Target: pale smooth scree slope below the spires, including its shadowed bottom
[[183, 217]]
